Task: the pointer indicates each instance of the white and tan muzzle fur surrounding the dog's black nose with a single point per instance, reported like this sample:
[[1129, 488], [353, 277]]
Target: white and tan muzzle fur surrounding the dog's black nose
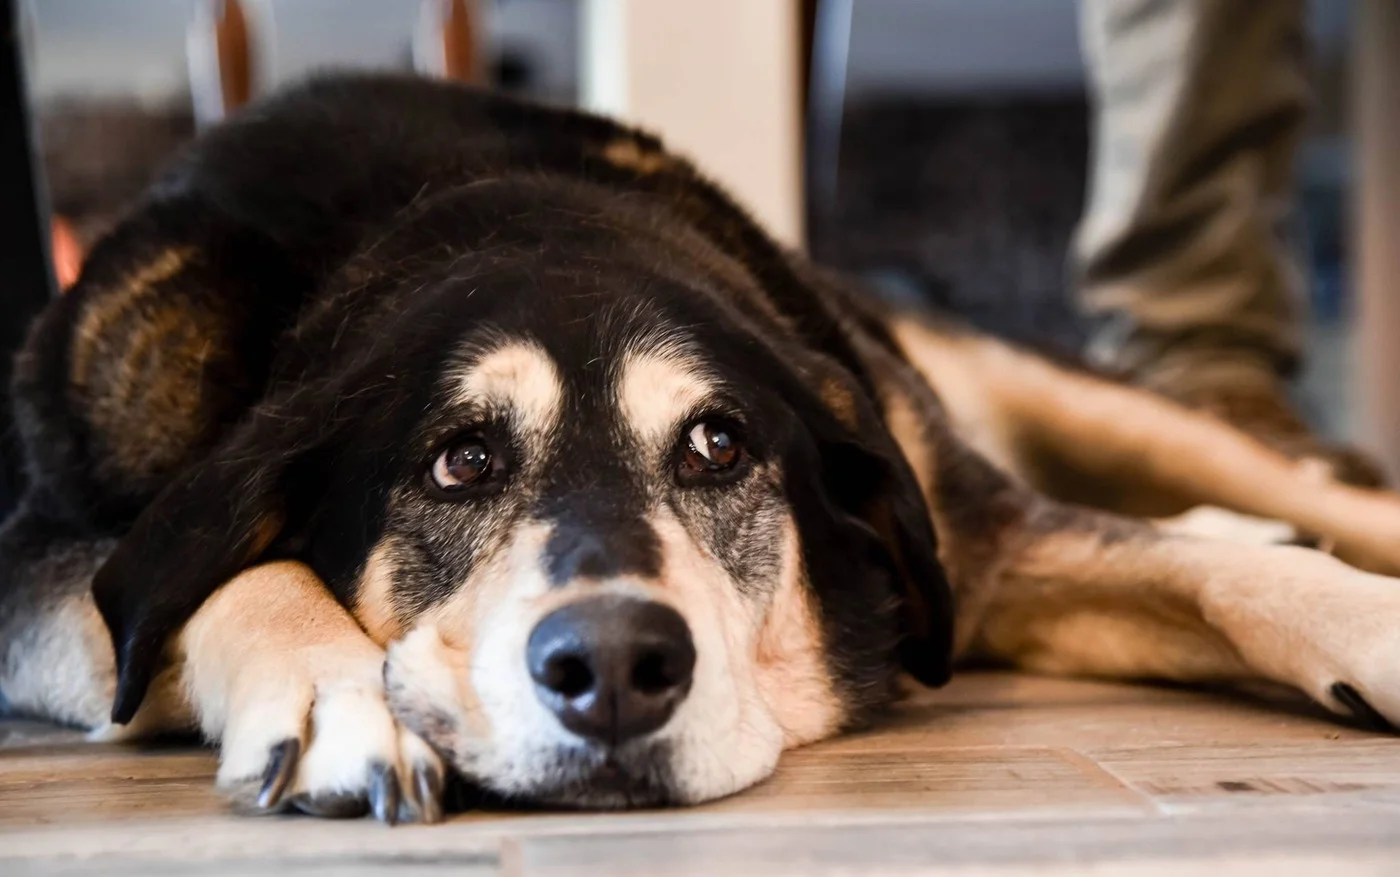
[[460, 679]]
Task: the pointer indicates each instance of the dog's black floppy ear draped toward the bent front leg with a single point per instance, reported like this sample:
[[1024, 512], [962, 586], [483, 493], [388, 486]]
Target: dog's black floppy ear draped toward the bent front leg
[[213, 520]]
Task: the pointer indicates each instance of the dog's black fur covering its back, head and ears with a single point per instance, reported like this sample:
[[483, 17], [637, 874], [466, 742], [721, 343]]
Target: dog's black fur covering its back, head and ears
[[248, 357]]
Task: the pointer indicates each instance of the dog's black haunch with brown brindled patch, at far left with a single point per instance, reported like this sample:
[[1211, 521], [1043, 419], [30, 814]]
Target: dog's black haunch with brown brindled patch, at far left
[[135, 373]]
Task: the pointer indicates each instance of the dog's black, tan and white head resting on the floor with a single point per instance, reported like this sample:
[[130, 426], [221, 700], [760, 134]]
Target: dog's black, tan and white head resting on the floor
[[625, 532]]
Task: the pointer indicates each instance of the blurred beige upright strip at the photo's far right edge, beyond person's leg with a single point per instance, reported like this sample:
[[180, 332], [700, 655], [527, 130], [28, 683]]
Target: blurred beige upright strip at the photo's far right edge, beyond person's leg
[[1377, 257]]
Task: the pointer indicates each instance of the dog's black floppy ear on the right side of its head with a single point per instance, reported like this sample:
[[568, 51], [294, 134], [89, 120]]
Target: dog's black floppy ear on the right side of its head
[[862, 512]]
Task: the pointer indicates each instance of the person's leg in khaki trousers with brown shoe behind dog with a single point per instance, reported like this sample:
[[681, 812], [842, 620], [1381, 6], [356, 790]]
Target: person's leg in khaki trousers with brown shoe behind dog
[[1184, 251]]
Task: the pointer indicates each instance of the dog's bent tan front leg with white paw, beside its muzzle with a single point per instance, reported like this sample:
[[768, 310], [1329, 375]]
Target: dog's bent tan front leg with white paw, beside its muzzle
[[293, 691]]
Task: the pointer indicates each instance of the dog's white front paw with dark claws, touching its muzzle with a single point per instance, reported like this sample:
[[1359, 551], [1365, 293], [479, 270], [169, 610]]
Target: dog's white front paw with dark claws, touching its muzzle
[[314, 735]]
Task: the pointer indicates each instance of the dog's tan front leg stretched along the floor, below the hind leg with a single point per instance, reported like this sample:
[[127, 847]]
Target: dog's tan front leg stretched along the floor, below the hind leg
[[1095, 595]]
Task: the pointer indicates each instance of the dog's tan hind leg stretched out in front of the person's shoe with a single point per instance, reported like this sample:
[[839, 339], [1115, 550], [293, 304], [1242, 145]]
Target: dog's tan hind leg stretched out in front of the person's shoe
[[1088, 441]]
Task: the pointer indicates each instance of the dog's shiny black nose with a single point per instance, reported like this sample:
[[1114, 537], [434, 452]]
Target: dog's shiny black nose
[[612, 669]]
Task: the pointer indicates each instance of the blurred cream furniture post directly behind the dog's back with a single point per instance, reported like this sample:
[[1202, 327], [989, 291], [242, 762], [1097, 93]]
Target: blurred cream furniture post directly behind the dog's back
[[720, 81]]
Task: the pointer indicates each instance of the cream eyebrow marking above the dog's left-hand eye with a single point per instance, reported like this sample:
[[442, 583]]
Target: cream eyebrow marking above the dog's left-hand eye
[[517, 375]]
